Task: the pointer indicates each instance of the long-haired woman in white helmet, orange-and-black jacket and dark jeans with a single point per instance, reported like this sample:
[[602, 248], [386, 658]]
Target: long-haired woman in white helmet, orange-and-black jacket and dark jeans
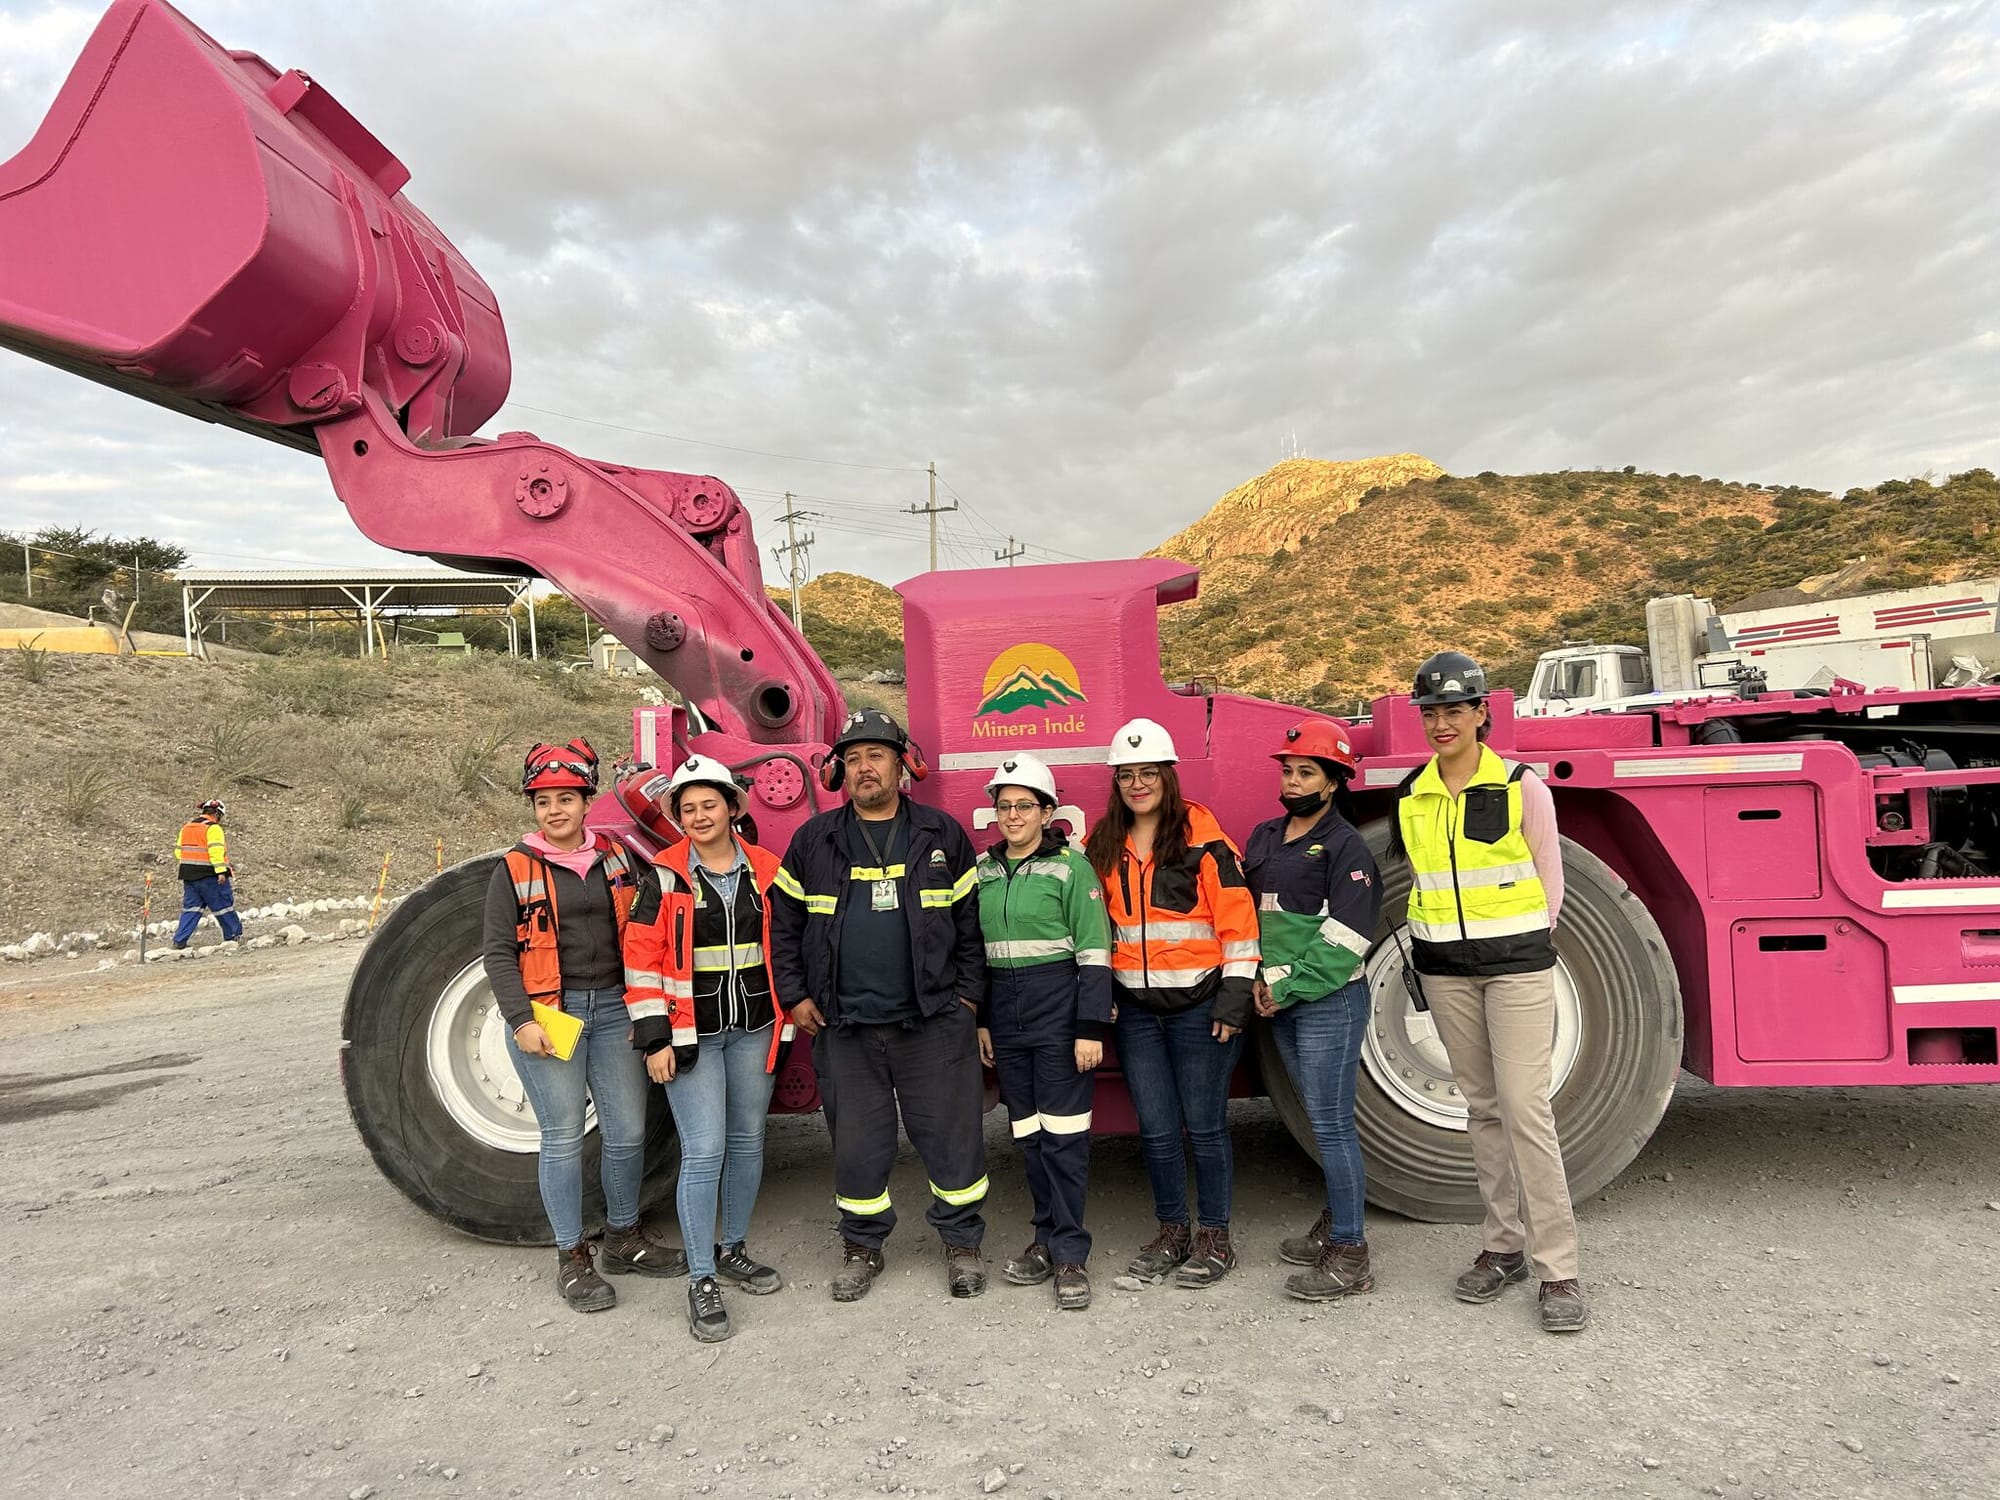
[[1185, 965]]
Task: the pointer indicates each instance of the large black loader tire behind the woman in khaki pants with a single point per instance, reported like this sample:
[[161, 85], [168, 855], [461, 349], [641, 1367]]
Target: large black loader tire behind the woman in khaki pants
[[1629, 1041]]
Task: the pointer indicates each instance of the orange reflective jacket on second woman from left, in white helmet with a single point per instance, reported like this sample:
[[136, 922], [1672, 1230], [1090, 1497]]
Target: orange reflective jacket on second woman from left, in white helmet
[[661, 955]]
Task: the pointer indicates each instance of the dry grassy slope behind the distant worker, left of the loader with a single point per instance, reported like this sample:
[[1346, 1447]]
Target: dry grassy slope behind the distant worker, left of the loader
[[357, 785]]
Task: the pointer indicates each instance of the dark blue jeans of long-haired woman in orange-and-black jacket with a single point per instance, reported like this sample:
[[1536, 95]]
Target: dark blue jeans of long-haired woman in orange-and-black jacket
[[1179, 1077]]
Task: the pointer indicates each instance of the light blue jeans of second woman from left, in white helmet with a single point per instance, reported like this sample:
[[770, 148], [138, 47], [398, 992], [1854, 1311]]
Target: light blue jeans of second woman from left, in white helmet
[[721, 1107]]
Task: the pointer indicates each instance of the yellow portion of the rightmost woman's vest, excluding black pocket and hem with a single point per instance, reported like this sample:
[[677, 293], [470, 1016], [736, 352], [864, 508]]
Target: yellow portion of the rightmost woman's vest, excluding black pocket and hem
[[1465, 889]]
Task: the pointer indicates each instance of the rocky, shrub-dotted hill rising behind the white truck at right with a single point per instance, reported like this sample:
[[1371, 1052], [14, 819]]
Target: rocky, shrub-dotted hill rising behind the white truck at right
[[1507, 567]]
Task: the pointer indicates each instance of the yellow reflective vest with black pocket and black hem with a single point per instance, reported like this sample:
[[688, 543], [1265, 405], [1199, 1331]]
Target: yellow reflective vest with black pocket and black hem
[[1477, 903]]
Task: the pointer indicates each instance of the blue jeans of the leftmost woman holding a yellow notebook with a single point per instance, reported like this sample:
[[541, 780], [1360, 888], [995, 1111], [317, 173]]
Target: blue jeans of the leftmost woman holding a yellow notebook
[[617, 1083]]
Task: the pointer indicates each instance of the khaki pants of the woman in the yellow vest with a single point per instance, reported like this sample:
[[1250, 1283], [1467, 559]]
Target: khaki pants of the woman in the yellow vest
[[1501, 1033]]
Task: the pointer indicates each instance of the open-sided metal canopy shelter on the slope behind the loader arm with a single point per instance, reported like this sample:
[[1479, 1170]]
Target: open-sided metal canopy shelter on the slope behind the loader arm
[[365, 595]]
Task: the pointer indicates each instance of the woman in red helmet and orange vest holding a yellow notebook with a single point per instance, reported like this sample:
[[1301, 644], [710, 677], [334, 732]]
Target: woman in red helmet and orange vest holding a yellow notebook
[[555, 915]]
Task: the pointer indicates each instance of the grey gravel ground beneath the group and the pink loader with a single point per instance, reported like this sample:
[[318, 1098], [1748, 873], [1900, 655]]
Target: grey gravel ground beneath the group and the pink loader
[[211, 1293]]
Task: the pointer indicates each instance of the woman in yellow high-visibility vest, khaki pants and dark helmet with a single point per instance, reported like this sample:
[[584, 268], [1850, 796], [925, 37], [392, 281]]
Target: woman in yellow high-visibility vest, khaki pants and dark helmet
[[1485, 895]]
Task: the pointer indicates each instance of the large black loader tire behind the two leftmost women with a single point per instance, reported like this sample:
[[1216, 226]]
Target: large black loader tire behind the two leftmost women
[[425, 951]]
